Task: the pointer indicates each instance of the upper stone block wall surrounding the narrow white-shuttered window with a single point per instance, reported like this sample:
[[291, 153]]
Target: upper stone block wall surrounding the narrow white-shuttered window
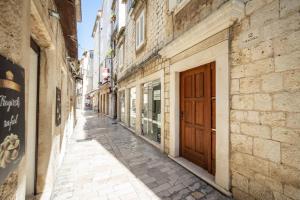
[[155, 33]]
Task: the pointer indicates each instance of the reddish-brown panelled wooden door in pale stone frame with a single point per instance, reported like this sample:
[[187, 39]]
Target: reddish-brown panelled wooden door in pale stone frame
[[197, 120]]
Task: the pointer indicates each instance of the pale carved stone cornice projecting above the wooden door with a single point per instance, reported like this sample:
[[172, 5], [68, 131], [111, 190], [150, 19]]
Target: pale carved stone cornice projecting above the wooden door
[[219, 20]]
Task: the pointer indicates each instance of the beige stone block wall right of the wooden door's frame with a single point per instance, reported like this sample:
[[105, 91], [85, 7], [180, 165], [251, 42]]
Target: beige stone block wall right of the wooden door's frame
[[265, 101]]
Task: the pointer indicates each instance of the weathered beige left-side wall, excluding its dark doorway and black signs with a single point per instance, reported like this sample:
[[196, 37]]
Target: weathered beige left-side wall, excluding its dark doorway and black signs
[[20, 19]]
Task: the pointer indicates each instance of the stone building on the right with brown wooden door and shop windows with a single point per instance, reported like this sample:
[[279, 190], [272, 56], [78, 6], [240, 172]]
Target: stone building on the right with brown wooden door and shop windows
[[215, 85]]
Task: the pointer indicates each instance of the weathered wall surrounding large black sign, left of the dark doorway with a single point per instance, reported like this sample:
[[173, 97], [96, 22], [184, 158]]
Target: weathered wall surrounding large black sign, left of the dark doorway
[[13, 45]]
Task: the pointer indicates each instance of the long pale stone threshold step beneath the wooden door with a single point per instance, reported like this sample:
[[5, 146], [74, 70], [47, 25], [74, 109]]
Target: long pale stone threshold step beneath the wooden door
[[201, 173]]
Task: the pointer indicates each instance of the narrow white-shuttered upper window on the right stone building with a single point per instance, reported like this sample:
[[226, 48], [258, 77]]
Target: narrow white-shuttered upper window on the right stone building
[[140, 30]]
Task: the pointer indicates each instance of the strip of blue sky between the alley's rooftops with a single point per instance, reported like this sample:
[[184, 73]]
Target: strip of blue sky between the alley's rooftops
[[85, 28]]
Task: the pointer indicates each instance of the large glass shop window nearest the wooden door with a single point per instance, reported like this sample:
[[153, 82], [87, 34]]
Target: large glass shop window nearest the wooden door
[[151, 113]]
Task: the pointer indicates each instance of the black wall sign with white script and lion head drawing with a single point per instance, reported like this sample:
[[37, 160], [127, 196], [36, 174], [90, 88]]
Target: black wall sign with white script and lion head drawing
[[12, 122]]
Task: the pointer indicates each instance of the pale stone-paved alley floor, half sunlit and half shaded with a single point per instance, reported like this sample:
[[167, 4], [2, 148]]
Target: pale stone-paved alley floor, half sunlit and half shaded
[[106, 161]]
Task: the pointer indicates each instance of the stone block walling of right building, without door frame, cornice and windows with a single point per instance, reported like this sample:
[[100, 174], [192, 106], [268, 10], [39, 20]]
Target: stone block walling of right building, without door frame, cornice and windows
[[264, 88]]
